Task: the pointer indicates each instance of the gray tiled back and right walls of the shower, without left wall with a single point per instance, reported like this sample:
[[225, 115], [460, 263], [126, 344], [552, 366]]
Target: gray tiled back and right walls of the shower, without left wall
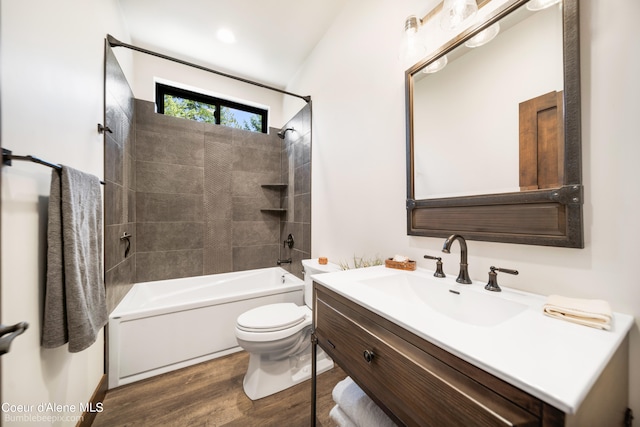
[[201, 204]]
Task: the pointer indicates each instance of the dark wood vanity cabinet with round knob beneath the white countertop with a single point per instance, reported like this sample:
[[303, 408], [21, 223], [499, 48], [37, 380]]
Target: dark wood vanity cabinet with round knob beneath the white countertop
[[418, 383]]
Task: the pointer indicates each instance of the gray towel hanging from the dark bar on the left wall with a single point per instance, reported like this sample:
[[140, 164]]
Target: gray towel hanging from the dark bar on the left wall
[[74, 308]]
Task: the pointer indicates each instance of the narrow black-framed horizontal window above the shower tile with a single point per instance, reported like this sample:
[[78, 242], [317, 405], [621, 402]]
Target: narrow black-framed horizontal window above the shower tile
[[183, 103]]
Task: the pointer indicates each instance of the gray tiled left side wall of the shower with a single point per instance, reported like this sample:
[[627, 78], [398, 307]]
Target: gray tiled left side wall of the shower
[[119, 191]]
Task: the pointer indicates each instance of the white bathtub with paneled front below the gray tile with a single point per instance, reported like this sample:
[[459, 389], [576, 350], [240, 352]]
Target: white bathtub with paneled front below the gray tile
[[170, 324]]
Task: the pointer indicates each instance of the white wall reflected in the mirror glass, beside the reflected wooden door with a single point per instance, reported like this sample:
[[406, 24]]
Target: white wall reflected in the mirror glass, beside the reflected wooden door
[[522, 62]]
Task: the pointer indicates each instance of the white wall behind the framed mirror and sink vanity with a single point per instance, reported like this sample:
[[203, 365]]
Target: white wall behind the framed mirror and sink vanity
[[358, 204]]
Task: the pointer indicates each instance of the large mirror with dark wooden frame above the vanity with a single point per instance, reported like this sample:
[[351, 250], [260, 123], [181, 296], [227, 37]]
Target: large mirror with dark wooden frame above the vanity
[[493, 139]]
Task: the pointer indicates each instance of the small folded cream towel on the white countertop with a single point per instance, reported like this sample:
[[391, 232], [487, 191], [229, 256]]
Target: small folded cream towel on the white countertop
[[590, 312]]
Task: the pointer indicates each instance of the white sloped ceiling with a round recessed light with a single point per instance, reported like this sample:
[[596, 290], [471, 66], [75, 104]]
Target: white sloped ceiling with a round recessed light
[[272, 37]]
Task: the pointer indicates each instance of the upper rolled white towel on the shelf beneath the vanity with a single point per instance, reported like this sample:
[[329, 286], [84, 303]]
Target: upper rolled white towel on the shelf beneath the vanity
[[356, 405]]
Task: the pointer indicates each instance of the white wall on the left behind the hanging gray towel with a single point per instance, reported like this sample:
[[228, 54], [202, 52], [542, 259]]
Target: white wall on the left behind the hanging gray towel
[[52, 99]]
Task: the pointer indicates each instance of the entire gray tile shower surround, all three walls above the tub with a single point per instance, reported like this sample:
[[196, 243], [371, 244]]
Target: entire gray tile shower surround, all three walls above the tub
[[192, 197]]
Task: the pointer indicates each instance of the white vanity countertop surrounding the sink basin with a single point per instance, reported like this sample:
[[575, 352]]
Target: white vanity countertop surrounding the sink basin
[[552, 359]]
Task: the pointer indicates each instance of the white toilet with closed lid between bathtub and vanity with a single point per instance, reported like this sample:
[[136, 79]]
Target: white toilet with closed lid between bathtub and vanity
[[278, 340]]
